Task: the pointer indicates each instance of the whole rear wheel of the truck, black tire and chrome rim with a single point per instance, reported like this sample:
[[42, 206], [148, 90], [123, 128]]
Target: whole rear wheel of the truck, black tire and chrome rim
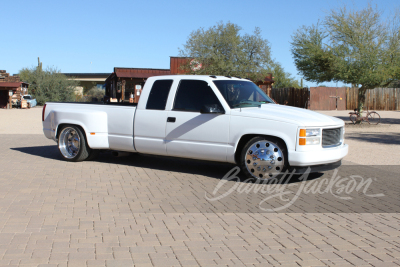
[[72, 144]]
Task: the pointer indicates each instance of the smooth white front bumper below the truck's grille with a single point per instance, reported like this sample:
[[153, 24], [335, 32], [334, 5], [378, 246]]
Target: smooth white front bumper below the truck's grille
[[319, 157]]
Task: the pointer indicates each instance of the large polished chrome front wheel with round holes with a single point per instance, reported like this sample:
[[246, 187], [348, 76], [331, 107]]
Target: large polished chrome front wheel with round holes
[[264, 159]]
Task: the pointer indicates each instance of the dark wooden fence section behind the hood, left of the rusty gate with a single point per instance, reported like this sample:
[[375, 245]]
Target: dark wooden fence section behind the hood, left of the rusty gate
[[290, 96]]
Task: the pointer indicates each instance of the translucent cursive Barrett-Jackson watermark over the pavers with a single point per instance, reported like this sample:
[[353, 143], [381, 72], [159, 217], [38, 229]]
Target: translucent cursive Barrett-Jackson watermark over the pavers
[[337, 186]]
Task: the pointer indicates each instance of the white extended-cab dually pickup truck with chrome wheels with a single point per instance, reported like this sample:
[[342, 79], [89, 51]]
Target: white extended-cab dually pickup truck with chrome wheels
[[212, 118]]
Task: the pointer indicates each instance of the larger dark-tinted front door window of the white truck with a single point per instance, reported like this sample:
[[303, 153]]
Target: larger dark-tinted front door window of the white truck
[[193, 95]]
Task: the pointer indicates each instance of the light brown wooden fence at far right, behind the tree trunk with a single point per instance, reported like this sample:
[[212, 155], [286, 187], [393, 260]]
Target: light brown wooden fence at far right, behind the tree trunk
[[375, 99]]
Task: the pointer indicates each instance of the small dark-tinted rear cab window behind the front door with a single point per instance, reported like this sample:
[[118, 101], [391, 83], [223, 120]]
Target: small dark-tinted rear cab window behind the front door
[[159, 94]]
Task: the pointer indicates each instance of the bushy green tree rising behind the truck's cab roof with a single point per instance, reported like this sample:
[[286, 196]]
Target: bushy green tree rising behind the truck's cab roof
[[222, 50]]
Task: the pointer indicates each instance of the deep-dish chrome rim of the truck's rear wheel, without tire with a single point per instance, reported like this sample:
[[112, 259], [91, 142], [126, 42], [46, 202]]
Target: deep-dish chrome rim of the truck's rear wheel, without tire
[[69, 142]]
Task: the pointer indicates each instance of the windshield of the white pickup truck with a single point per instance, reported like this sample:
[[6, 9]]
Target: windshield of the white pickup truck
[[240, 94]]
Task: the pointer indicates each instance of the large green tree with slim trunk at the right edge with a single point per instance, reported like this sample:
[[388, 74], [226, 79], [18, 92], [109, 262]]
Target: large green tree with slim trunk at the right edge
[[353, 47]]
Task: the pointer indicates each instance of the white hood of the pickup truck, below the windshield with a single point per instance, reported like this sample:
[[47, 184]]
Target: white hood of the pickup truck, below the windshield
[[288, 114]]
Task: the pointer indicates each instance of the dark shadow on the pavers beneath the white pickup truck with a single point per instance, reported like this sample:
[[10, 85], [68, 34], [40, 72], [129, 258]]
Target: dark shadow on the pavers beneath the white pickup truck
[[182, 166]]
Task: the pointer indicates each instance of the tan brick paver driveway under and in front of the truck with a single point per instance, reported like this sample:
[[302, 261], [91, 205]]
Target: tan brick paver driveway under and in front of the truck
[[147, 210]]
